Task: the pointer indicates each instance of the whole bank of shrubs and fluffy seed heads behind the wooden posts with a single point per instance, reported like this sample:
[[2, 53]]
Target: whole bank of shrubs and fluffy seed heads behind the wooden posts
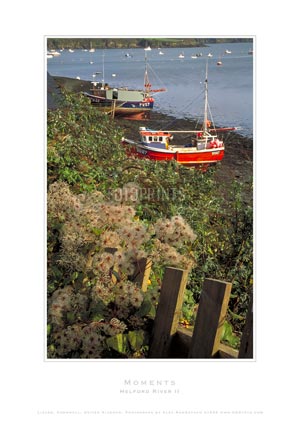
[[99, 199]]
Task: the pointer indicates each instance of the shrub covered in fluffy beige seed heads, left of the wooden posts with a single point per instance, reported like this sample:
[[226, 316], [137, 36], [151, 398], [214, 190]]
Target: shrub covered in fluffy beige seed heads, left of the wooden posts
[[98, 310]]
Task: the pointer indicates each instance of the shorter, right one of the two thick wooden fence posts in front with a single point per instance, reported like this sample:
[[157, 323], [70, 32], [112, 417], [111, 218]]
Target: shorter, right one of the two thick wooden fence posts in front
[[210, 319]]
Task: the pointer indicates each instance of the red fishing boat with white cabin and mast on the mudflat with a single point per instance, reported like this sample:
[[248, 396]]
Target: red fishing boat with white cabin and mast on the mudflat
[[204, 147]]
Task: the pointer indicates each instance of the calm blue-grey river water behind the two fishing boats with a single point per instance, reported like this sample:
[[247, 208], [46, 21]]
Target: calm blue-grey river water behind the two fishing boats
[[230, 86]]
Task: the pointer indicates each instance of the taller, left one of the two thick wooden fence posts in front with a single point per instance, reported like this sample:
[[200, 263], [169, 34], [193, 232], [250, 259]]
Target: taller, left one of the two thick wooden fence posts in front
[[168, 311]]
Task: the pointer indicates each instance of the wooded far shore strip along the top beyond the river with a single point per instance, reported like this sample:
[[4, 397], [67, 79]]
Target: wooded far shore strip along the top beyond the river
[[114, 43]]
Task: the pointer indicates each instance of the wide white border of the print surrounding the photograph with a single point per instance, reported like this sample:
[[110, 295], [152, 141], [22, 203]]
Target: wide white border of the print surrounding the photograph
[[68, 392]]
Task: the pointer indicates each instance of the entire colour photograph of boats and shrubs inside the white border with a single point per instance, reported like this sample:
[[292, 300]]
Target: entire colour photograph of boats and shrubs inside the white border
[[150, 171]]
